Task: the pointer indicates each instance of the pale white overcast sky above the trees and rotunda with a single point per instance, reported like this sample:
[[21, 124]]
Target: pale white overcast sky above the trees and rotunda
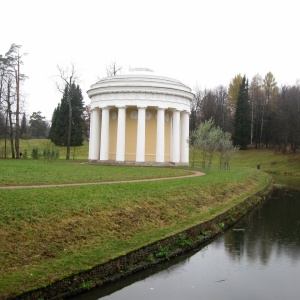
[[199, 42]]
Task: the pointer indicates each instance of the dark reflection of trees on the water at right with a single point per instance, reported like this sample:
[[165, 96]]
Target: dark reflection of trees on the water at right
[[273, 229]]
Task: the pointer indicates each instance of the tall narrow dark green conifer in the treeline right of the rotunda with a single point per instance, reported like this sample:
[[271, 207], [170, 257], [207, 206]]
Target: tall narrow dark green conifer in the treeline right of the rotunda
[[242, 120]]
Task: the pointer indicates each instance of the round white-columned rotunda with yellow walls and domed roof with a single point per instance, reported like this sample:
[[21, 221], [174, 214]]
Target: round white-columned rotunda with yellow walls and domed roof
[[139, 117]]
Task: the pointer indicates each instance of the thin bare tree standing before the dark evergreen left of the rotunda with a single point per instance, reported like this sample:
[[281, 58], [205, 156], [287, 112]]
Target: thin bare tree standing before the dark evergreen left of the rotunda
[[67, 77]]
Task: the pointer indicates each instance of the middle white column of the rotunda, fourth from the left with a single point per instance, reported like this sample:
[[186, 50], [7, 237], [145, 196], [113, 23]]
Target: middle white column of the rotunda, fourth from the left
[[141, 127]]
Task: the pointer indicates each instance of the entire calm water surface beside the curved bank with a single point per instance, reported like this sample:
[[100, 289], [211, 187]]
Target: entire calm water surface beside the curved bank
[[257, 259]]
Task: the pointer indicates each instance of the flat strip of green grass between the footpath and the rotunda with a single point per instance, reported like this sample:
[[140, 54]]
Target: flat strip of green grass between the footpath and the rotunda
[[38, 172]]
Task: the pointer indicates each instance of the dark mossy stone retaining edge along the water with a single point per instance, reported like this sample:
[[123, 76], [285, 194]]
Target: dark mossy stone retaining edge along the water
[[151, 254]]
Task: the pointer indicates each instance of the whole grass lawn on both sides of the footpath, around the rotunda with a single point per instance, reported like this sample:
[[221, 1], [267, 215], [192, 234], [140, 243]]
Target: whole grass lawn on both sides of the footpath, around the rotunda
[[50, 233]]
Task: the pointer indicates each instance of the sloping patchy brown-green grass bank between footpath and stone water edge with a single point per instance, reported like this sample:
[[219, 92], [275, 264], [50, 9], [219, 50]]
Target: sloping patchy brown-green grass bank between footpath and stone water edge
[[61, 231]]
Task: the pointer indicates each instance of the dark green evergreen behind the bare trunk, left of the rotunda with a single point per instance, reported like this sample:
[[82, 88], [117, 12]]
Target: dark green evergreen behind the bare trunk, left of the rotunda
[[59, 124]]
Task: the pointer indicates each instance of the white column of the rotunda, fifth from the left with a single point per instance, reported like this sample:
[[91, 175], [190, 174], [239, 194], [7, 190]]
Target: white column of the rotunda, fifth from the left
[[160, 135]]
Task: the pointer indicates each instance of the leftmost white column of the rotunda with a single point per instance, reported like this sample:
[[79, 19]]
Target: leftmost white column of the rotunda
[[94, 141]]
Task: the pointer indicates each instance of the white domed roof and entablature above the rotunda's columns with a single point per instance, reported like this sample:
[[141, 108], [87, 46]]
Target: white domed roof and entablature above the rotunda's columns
[[141, 89]]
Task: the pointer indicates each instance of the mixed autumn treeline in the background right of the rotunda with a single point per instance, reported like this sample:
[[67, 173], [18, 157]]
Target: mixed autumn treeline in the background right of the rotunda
[[272, 112]]
